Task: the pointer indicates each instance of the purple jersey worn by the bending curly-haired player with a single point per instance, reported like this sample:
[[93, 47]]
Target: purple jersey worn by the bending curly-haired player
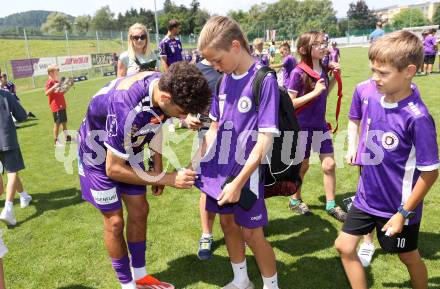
[[120, 118]]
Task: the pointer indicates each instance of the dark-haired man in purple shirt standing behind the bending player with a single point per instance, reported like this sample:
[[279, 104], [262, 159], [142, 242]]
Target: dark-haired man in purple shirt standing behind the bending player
[[170, 48]]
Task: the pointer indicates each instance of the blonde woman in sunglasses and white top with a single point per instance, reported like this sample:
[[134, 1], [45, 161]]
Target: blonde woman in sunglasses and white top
[[138, 52]]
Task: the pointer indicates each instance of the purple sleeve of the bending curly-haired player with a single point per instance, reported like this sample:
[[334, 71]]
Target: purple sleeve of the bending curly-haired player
[[115, 123]]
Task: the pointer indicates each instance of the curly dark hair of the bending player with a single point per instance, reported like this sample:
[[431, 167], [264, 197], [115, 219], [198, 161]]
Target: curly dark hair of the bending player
[[187, 86]]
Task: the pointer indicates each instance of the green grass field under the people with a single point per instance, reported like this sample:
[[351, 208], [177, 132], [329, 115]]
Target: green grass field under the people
[[57, 243]]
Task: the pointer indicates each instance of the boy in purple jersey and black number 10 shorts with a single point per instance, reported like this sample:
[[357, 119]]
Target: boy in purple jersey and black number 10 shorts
[[399, 159]]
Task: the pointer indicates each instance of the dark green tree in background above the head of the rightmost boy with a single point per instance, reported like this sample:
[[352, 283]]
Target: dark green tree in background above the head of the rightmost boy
[[361, 17]]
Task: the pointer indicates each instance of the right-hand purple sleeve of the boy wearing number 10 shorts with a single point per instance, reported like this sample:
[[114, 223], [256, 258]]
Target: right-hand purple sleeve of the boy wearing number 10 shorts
[[424, 138]]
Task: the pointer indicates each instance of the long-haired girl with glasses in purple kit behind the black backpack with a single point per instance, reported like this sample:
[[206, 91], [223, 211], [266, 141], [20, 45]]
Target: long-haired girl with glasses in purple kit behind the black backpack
[[309, 98]]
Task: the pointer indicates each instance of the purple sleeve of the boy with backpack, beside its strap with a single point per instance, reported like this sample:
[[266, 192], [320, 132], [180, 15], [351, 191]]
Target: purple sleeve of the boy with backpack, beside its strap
[[269, 105]]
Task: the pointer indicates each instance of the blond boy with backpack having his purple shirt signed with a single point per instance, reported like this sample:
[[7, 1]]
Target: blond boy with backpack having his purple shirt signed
[[237, 140]]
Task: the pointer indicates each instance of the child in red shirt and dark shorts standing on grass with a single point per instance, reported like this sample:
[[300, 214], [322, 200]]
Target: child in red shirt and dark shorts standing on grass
[[57, 103]]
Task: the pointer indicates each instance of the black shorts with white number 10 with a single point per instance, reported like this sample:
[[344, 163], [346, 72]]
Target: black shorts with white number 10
[[360, 223]]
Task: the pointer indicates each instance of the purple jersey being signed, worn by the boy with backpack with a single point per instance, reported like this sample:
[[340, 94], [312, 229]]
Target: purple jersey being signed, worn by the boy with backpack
[[238, 124]]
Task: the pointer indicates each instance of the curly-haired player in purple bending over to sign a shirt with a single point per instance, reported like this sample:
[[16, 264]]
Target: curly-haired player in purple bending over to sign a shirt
[[121, 119]]
